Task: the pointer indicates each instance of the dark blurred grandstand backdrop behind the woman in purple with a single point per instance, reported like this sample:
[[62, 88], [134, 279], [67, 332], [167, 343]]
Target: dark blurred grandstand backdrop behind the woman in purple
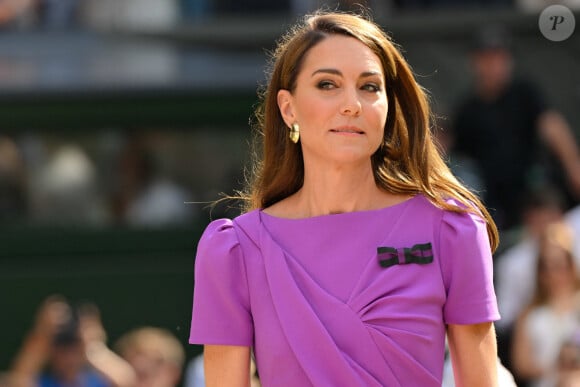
[[121, 119]]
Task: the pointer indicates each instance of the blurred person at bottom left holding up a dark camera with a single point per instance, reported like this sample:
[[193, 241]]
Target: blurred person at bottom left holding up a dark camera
[[67, 348]]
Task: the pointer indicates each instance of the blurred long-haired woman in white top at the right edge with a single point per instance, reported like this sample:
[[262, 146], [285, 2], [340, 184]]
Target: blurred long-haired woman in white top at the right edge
[[552, 317]]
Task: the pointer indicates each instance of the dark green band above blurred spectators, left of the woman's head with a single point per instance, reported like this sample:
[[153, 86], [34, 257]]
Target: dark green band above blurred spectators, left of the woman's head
[[129, 109]]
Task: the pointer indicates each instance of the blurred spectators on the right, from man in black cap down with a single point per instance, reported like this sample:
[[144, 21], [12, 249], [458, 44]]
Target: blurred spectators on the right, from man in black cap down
[[512, 146]]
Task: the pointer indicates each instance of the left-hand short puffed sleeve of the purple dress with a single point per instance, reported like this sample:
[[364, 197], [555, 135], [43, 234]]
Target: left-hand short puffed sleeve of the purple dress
[[221, 308]]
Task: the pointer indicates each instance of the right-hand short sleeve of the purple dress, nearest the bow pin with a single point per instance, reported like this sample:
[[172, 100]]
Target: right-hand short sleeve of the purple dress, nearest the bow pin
[[467, 267]]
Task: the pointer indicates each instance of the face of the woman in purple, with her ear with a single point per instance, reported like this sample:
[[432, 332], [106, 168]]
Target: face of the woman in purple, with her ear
[[339, 102]]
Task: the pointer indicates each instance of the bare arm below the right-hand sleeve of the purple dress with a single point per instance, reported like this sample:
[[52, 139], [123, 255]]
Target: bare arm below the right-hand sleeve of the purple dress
[[473, 349]]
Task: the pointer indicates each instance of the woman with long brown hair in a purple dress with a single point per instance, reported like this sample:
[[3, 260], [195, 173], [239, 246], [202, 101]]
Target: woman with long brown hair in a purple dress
[[359, 250]]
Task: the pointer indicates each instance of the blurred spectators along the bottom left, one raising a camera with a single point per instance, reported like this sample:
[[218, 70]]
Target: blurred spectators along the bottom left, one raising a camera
[[67, 346]]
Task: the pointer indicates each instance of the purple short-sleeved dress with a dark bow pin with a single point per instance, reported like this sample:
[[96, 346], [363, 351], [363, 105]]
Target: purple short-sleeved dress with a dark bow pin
[[352, 299]]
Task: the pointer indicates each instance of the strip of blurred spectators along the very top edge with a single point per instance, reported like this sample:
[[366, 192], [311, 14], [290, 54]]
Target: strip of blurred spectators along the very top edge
[[160, 14]]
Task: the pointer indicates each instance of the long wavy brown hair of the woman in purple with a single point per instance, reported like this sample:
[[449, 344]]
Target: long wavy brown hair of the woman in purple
[[407, 162]]
